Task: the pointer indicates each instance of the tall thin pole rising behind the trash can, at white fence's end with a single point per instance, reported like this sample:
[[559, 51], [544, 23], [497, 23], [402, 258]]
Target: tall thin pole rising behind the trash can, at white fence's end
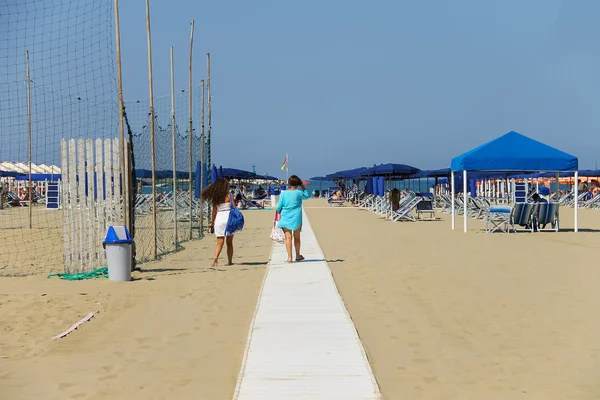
[[124, 170]]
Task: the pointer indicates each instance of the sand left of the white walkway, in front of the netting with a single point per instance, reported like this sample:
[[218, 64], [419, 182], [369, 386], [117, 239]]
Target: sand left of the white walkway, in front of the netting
[[177, 332]]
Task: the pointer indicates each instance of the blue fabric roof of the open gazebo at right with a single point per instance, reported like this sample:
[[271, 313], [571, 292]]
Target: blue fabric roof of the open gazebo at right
[[514, 152]]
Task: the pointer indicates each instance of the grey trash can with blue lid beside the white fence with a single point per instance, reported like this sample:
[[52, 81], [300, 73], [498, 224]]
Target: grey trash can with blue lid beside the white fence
[[118, 253]]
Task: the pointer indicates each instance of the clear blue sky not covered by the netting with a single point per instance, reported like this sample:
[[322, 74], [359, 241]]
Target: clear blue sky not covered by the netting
[[341, 84]]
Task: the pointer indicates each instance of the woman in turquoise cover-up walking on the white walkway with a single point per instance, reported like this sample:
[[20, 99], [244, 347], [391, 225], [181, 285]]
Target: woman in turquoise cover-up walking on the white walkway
[[289, 209]]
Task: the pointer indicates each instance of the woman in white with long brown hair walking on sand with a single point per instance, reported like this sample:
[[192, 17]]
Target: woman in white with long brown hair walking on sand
[[218, 194]]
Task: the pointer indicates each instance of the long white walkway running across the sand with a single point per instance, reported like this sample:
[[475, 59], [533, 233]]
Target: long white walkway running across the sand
[[302, 343]]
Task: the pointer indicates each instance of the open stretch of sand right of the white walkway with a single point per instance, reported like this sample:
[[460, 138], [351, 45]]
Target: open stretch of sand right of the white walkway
[[449, 315]]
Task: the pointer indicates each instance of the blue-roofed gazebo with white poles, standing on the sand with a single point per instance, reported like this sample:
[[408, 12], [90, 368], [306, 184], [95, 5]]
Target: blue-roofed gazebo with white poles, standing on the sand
[[511, 153]]
